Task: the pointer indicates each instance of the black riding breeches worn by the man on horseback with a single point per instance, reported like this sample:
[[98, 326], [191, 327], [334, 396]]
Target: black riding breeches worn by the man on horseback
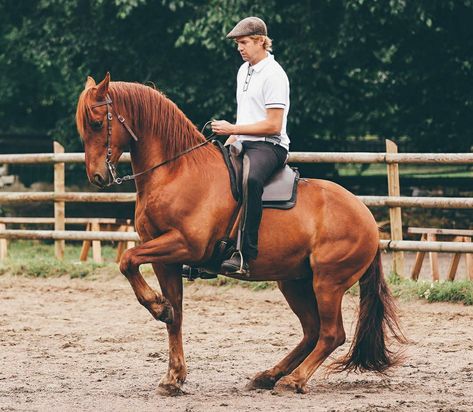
[[264, 159]]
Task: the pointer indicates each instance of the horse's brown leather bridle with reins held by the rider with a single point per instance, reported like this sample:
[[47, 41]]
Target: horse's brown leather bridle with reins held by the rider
[[108, 157]]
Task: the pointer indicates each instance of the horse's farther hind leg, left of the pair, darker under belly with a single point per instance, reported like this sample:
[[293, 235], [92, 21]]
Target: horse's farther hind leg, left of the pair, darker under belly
[[300, 297]]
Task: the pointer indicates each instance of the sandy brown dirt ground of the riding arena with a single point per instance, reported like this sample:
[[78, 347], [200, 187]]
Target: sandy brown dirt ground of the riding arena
[[83, 345]]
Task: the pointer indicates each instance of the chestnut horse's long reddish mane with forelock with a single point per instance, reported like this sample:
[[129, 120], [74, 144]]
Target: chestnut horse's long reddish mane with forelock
[[150, 113]]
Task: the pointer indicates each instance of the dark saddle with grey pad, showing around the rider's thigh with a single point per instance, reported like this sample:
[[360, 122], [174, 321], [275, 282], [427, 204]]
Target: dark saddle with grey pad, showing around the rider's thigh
[[280, 191]]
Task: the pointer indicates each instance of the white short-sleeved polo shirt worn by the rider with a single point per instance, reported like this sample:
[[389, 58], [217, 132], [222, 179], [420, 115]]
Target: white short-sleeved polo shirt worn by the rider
[[262, 86]]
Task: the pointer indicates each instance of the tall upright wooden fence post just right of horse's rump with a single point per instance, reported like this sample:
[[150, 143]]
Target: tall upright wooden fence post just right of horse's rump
[[394, 189]]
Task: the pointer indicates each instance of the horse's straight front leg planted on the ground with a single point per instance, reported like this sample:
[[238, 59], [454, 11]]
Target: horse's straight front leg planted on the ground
[[170, 280]]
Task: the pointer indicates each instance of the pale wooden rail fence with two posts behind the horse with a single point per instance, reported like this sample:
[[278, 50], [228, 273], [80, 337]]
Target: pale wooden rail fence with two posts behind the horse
[[394, 201]]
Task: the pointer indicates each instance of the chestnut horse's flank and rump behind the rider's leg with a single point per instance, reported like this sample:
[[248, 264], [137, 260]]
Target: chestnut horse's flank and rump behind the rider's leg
[[328, 225]]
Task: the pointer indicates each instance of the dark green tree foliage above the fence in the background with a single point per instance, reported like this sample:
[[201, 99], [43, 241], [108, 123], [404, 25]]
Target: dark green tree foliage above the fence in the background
[[393, 69]]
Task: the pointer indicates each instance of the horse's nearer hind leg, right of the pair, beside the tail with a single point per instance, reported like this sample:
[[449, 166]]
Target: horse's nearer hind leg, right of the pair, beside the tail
[[329, 299]]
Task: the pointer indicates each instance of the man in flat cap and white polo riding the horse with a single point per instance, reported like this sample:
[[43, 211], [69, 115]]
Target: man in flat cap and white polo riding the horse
[[263, 103]]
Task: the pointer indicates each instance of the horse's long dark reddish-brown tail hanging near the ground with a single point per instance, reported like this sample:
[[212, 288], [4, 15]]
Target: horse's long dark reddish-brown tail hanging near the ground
[[377, 317]]
